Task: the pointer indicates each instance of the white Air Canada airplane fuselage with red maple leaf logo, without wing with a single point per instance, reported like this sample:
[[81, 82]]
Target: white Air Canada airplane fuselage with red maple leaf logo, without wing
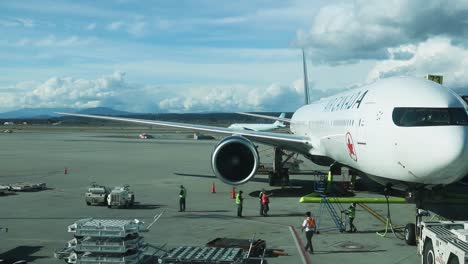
[[373, 129]]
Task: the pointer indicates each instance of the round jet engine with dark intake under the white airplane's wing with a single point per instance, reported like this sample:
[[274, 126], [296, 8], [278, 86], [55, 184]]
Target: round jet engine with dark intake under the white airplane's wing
[[235, 160]]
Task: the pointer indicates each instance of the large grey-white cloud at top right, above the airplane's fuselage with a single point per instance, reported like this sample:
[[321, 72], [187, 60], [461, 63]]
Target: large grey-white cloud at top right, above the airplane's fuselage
[[365, 29]]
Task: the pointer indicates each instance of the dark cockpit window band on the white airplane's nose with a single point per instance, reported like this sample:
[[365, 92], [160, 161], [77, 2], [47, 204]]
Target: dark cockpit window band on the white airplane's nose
[[410, 117]]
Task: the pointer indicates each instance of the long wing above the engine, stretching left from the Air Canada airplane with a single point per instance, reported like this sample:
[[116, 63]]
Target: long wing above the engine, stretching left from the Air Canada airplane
[[287, 141]]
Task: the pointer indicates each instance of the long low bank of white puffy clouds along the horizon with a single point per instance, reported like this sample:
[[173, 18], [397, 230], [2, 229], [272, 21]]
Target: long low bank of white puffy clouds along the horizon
[[114, 91]]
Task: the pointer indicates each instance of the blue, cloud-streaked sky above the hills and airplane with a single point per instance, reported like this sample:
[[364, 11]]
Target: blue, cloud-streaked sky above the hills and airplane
[[218, 55]]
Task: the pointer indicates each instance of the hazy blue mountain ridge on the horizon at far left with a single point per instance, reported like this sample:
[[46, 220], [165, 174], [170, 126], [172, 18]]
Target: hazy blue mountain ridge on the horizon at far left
[[43, 113]]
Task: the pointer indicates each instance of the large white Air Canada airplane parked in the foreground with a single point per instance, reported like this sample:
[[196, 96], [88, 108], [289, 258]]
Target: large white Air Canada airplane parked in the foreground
[[409, 132]]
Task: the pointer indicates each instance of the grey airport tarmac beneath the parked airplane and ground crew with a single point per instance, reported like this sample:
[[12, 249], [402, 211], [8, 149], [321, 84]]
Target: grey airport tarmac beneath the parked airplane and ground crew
[[155, 168]]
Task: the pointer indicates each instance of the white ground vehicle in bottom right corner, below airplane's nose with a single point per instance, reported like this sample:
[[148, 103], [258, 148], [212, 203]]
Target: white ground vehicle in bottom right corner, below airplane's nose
[[443, 242]]
